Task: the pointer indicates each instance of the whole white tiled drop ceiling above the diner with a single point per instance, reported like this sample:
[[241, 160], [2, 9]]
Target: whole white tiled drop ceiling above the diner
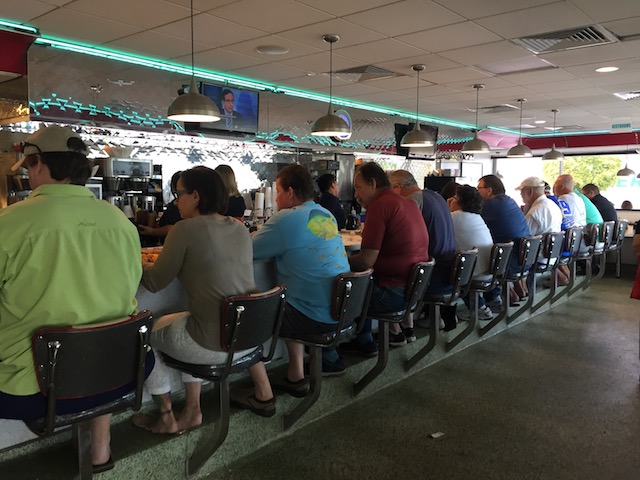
[[462, 42]]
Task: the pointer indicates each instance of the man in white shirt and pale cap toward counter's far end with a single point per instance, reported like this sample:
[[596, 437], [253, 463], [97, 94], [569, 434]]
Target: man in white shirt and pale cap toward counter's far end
[[542, 214]]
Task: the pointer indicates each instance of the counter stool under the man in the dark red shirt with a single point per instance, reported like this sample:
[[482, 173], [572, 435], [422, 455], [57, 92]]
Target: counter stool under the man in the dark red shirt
[[414, 292]]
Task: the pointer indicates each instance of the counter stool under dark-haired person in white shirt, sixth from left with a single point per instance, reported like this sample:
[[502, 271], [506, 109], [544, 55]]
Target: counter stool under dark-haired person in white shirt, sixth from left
[[498, 263]]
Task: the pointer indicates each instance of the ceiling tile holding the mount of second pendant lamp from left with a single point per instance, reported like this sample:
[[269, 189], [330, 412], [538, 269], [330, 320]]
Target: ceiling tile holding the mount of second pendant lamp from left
[[350, 34]]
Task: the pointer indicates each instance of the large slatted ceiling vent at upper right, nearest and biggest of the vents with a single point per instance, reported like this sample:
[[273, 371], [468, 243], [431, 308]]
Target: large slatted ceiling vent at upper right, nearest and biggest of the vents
[[567, 39]]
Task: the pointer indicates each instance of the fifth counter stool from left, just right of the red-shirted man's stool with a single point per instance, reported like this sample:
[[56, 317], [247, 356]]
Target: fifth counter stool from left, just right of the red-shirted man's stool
[[461, 272]]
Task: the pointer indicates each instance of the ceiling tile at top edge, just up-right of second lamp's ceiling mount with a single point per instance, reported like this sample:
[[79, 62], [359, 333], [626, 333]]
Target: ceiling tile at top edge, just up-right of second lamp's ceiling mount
[[404, 17]]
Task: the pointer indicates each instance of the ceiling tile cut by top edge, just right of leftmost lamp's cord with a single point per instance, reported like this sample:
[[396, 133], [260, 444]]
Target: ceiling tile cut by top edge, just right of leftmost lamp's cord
[[279, 15]]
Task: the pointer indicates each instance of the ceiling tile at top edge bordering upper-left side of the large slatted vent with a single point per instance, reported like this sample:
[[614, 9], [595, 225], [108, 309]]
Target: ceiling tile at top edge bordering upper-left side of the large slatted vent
[[546, 18]]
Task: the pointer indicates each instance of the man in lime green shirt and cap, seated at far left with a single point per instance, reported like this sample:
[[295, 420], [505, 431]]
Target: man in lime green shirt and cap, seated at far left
[[66, 258]]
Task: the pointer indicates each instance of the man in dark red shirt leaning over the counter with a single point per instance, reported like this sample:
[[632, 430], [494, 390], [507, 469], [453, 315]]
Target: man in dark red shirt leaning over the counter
[[394, 239]]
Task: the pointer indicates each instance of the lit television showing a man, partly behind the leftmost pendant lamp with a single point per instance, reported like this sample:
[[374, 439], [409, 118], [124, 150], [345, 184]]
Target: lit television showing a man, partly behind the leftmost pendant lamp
[[238, 108]]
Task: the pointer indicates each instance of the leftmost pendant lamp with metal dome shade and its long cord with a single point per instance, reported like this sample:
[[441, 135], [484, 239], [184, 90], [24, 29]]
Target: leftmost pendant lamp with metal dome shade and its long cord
[[193, 106]]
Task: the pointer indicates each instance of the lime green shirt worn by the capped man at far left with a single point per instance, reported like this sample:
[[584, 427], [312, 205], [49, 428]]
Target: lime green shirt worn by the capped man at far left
[[66, 258]]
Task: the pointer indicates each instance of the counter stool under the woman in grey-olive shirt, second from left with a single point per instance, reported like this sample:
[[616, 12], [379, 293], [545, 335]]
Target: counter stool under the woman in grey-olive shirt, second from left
[[246, 322]]
